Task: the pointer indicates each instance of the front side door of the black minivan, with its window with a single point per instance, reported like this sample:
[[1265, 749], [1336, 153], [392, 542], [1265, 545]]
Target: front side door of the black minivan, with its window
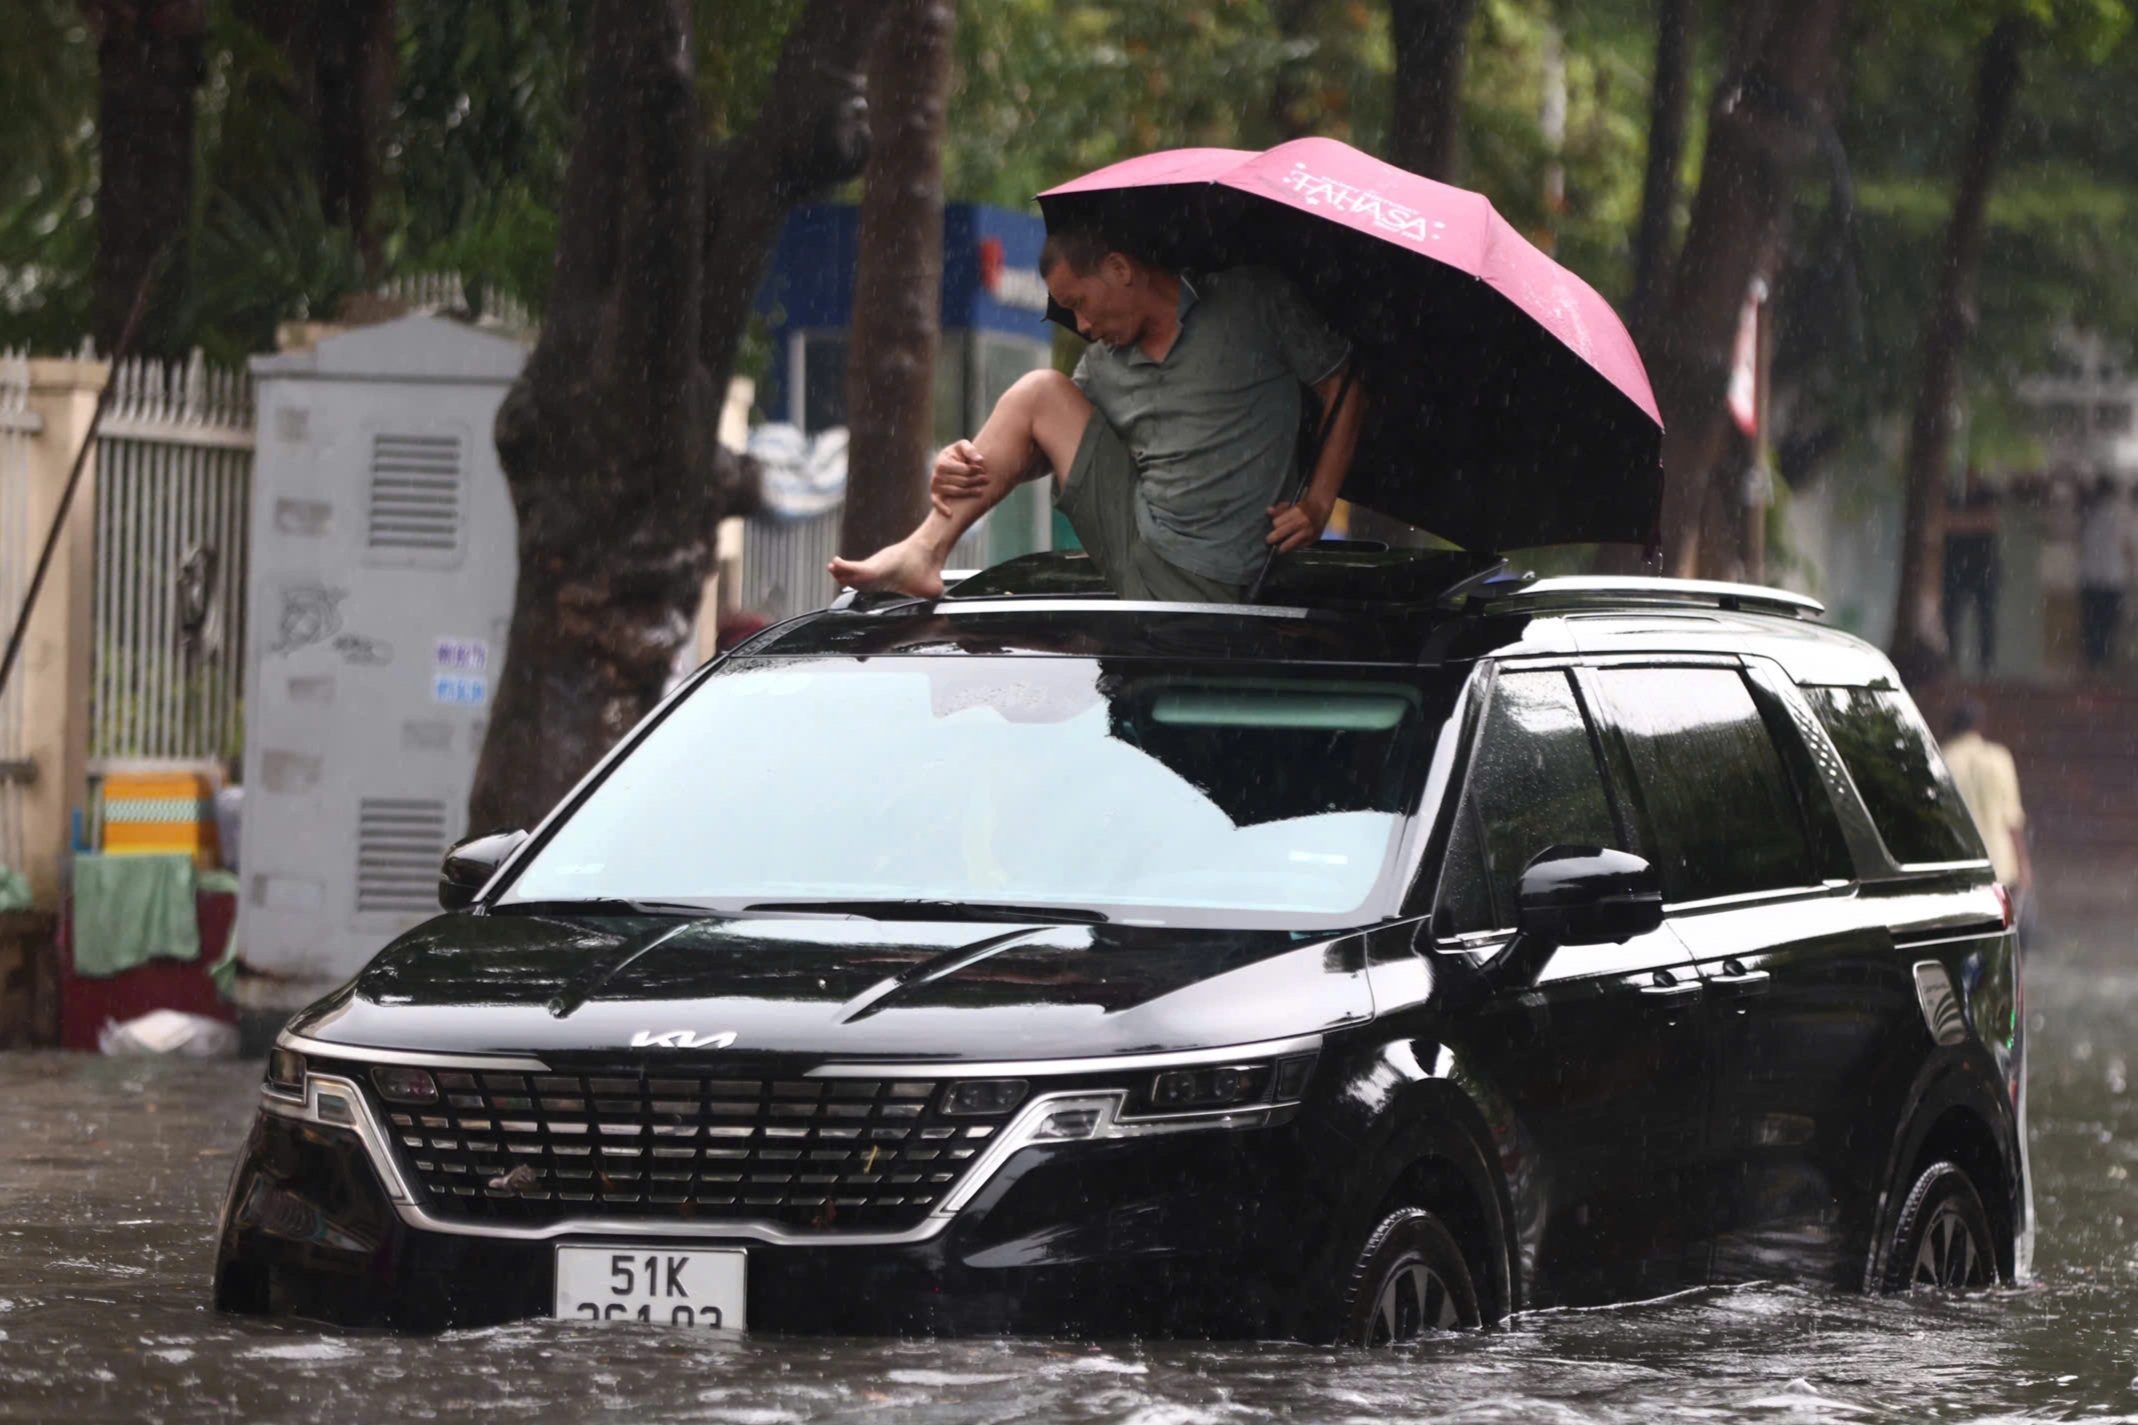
[[1594, 1071]]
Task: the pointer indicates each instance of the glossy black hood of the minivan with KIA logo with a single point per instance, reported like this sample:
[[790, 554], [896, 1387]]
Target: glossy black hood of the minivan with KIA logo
[[839, 988]]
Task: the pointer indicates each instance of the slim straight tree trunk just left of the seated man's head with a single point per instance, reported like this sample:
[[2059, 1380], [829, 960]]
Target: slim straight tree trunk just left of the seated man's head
[[899, 279]]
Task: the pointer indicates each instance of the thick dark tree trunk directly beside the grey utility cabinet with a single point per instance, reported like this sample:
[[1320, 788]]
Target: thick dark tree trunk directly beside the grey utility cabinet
[[606, 435]]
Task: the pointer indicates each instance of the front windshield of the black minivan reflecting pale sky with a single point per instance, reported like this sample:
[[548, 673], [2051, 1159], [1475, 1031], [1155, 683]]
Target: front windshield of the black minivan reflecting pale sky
[[1138, 789]]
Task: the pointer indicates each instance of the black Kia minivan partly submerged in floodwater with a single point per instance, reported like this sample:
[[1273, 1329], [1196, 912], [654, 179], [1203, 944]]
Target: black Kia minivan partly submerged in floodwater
[[1419, 948]]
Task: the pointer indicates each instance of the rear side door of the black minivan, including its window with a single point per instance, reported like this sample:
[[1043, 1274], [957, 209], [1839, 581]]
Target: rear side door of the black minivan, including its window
[[1806, 999]]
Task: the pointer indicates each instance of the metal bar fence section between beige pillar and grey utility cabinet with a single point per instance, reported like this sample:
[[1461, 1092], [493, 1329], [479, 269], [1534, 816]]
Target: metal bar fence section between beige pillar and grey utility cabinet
[[174, 484]]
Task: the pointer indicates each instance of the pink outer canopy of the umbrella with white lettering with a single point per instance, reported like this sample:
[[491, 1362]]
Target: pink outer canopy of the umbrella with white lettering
[[1451, 225]]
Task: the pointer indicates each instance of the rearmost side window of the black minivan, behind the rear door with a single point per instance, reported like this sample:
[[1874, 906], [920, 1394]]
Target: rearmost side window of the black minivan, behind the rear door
[[1900, 777]]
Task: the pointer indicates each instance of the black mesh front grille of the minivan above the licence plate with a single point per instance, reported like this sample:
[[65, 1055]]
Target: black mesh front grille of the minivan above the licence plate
[[837, 1155]]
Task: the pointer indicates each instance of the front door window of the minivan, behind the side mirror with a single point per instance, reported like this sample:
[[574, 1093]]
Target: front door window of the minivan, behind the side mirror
[[1534, 783]]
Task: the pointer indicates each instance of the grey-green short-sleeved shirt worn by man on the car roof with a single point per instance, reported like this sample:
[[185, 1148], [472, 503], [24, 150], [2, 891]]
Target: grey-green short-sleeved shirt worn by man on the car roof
[[1215, 424]]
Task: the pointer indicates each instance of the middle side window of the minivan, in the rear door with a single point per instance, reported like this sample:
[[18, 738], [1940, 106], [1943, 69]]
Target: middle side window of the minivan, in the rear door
[[1718, 815]]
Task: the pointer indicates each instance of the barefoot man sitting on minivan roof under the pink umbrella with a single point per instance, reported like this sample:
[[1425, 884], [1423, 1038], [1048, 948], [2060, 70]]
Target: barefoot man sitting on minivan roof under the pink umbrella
[[1173, 443]]
